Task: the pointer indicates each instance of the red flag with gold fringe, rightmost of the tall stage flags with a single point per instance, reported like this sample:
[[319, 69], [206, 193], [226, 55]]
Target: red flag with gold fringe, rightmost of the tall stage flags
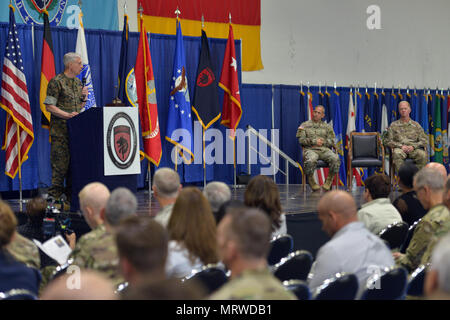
[[231, 109]]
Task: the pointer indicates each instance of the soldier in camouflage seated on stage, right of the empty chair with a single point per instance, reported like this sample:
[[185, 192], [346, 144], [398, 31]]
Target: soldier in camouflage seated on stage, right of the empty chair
[[407, 139]]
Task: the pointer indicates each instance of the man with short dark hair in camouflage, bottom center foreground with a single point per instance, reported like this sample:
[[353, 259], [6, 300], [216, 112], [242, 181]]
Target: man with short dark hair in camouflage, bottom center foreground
[[243, 237]]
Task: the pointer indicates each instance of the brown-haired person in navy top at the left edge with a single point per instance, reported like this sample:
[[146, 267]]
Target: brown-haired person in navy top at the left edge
[[13, 274]]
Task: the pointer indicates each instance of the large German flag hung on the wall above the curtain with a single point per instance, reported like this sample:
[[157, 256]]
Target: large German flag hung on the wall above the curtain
[[159, 17]]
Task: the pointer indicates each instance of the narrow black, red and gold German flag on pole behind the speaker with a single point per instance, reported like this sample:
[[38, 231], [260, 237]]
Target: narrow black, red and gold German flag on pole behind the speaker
[[47, 70]]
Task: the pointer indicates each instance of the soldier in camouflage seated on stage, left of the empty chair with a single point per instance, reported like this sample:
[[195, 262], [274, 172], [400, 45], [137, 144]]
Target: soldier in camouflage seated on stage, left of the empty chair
[[317, 138]]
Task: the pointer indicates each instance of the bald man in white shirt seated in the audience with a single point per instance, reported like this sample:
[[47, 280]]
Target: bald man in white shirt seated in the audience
[[352, 248]]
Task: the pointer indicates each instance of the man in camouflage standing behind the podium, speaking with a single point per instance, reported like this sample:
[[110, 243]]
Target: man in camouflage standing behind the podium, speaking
[[65, 99]]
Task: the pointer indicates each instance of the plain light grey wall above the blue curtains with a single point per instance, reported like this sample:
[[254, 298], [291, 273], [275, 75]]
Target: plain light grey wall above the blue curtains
[[328, 41]]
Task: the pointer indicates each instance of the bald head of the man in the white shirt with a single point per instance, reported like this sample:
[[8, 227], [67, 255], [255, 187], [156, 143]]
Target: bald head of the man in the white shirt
[[336, 209]]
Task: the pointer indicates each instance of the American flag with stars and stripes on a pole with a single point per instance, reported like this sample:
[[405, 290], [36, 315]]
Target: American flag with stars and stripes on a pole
[[14, 100]]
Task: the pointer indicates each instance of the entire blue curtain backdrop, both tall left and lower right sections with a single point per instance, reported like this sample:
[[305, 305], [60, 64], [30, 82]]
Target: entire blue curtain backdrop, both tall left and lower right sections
[[104, 49]]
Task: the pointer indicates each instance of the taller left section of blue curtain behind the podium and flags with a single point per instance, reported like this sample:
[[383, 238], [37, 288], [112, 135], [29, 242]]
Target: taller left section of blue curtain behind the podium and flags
[[103, 50]]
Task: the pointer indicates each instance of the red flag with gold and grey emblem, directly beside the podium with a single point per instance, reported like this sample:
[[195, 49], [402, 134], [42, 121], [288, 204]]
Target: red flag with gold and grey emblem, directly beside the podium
[[146, 94]]
